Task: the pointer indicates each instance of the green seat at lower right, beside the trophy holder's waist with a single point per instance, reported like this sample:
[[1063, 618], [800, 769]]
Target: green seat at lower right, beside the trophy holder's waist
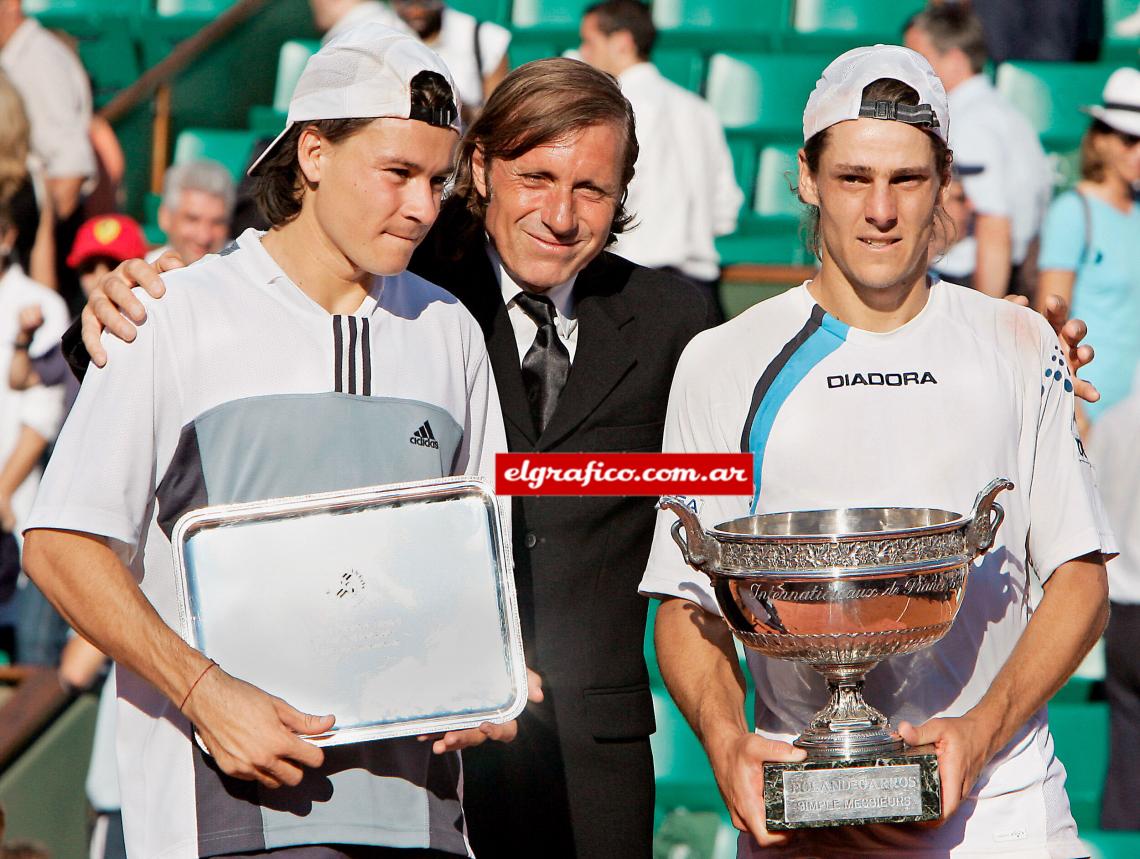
[[1081, 738]]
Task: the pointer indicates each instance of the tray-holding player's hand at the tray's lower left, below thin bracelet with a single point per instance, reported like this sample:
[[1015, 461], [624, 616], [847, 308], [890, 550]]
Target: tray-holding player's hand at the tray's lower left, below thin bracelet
[[251, 734]]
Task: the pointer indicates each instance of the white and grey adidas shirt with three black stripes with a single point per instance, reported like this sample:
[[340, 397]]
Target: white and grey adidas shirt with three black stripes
[[241, 388]]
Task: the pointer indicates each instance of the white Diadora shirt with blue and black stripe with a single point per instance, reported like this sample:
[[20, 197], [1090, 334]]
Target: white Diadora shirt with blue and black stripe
[[925, 416]]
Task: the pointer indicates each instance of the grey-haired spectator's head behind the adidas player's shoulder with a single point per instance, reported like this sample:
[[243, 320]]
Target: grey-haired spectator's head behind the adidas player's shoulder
[[198, 203]]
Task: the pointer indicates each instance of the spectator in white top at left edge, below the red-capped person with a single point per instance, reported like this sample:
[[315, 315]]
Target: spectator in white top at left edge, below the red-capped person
[[29, 420]]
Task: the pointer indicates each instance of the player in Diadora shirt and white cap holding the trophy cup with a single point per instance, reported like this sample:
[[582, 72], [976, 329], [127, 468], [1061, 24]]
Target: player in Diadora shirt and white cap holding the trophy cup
[[873, 386]]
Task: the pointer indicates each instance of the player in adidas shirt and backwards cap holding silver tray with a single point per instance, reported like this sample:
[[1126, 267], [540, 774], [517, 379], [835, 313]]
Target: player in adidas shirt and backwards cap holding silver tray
[[268, 372]]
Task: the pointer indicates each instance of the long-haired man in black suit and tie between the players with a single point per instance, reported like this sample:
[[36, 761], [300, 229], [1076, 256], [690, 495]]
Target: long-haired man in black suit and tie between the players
[[539, 195]]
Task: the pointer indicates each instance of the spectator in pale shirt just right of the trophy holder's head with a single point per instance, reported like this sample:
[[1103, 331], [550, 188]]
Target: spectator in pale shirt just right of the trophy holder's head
[[1009, 182]]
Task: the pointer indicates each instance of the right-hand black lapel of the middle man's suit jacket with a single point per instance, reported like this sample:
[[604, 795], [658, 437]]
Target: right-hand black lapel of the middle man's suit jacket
[[601, 358]]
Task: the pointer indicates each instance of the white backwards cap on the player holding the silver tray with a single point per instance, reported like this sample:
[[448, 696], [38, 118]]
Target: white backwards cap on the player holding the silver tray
[[367, 73]]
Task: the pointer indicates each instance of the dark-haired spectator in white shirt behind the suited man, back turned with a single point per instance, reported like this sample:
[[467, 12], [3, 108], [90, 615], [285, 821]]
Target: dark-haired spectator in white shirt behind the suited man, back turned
[[683, 194]]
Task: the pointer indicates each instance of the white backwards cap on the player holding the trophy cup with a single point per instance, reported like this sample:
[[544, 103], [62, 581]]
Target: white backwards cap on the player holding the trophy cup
[[838, 95]]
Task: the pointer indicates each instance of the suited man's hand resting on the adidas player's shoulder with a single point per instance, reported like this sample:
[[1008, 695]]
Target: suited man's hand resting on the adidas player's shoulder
[[113, 307]]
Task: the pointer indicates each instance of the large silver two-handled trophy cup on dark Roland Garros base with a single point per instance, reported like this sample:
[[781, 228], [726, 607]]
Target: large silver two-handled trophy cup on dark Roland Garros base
[[842, 591]]
